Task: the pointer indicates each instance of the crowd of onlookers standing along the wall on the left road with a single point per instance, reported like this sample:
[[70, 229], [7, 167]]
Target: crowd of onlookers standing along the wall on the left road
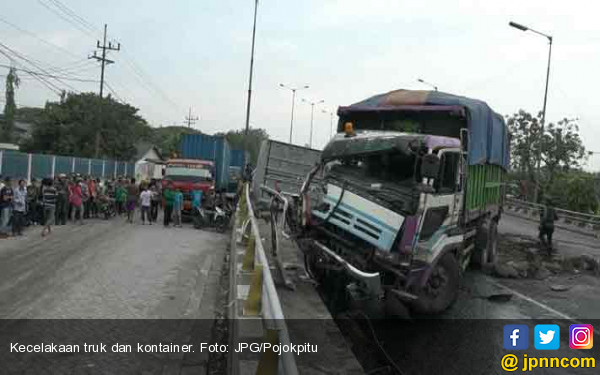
[[76, 198]]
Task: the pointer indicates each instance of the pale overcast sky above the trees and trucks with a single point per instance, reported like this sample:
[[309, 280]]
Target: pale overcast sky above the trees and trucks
[[196, 53]]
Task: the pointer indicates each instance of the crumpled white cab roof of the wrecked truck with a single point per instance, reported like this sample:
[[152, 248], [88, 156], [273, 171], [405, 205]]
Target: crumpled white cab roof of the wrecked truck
[[370, 142]]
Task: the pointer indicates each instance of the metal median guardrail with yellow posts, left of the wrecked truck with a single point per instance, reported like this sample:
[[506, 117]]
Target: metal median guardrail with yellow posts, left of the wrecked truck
[[262, 300]]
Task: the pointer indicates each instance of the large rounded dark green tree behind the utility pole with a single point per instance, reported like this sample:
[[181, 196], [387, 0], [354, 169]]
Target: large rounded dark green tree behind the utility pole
[[69, 127]]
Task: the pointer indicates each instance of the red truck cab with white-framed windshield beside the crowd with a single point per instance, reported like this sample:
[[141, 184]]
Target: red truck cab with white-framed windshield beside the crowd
[[188, 175]]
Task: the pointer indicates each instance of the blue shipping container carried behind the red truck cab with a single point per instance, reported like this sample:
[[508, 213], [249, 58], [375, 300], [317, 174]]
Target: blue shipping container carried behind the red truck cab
[[211, 148]]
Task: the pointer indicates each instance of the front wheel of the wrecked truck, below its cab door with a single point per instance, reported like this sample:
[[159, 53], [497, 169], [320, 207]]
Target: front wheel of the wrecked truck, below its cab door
[[441, 288]]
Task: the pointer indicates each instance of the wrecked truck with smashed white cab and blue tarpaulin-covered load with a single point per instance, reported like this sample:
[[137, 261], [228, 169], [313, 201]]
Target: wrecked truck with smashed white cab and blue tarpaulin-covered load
[[403, 198]]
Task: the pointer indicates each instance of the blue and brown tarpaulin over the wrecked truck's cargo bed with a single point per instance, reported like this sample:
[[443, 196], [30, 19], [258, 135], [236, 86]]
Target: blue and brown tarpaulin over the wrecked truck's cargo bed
[[489, 142]]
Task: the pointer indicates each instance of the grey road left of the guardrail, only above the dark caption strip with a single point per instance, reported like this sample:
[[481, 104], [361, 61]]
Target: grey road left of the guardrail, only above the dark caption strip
[[110, 269]]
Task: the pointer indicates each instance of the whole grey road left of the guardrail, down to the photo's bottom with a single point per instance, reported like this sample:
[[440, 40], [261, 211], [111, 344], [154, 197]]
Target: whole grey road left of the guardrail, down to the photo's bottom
[[109, 282]]
